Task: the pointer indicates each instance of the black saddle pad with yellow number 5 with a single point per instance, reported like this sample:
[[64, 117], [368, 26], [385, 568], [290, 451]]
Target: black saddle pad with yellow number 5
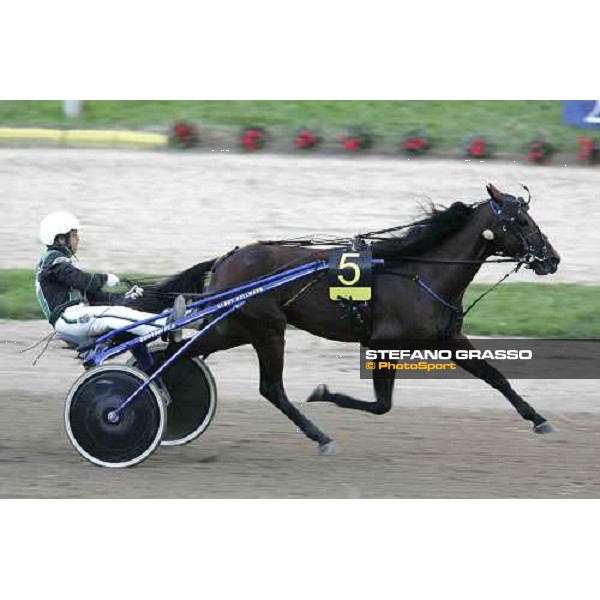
[[350, 275]]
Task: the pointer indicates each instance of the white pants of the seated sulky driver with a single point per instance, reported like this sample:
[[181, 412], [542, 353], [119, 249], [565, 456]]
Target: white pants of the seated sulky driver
[[91, 321]]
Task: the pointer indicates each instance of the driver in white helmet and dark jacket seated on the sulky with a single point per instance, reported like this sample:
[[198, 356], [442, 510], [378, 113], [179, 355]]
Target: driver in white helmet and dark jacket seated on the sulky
[[73, 301]]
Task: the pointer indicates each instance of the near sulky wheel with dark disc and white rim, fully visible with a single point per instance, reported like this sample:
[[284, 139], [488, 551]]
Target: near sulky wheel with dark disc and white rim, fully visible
[[127, 440]]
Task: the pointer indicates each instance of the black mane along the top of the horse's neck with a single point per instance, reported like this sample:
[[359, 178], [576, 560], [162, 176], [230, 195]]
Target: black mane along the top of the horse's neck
[[436, 225]]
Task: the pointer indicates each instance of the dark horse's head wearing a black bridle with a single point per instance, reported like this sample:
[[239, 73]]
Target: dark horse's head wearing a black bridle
[[514, 233]]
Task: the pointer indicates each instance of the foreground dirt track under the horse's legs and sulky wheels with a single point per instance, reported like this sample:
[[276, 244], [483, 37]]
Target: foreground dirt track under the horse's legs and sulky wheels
[[475, 446]]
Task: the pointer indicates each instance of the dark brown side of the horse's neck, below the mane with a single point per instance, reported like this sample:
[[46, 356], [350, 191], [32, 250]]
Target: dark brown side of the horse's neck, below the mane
[[452, 279]]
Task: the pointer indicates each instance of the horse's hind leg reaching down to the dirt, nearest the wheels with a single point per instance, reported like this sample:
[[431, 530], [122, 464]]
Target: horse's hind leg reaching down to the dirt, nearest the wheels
[[270, 351]]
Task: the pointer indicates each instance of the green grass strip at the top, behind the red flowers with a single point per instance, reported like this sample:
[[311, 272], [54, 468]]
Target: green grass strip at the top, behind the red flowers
[[509, 123]]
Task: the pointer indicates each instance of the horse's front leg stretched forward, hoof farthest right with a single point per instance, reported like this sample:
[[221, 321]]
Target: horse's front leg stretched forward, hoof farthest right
[[483, 370]]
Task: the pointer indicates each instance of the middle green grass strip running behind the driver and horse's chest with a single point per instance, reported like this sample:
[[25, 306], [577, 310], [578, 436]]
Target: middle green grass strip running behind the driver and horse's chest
[[520, 309]]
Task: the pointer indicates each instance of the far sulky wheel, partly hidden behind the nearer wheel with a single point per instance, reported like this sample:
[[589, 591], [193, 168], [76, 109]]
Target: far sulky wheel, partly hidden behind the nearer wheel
[[192, 397]]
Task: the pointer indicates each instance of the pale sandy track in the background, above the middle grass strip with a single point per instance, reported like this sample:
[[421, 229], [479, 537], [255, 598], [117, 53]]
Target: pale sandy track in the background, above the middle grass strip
[[164, 211]]
